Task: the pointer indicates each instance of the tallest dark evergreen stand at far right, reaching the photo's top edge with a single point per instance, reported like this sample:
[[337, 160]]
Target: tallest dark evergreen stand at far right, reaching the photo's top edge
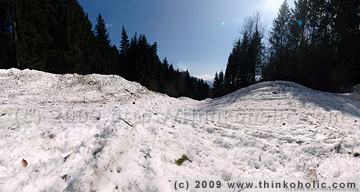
[[321, 51]]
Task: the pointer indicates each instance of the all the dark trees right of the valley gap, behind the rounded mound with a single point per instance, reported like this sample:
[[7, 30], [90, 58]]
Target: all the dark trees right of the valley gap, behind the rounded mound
[[316, 44]]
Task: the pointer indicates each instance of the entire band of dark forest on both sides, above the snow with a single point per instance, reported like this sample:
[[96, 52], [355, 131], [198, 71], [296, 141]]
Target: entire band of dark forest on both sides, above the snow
[[316, 44]]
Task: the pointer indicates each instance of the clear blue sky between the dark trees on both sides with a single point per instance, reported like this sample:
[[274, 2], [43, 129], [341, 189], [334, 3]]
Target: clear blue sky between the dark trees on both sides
[[197, 35]]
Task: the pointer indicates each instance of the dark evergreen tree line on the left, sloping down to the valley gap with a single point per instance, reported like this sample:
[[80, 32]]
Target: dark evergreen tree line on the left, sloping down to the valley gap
[[57, 37]]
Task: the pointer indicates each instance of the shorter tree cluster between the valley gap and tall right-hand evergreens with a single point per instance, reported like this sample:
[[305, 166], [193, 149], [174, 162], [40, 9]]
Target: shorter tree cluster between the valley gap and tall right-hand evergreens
[[245, 60]]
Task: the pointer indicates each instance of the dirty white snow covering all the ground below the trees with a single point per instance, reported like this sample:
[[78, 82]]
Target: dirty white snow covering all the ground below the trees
[[103, 133]]
